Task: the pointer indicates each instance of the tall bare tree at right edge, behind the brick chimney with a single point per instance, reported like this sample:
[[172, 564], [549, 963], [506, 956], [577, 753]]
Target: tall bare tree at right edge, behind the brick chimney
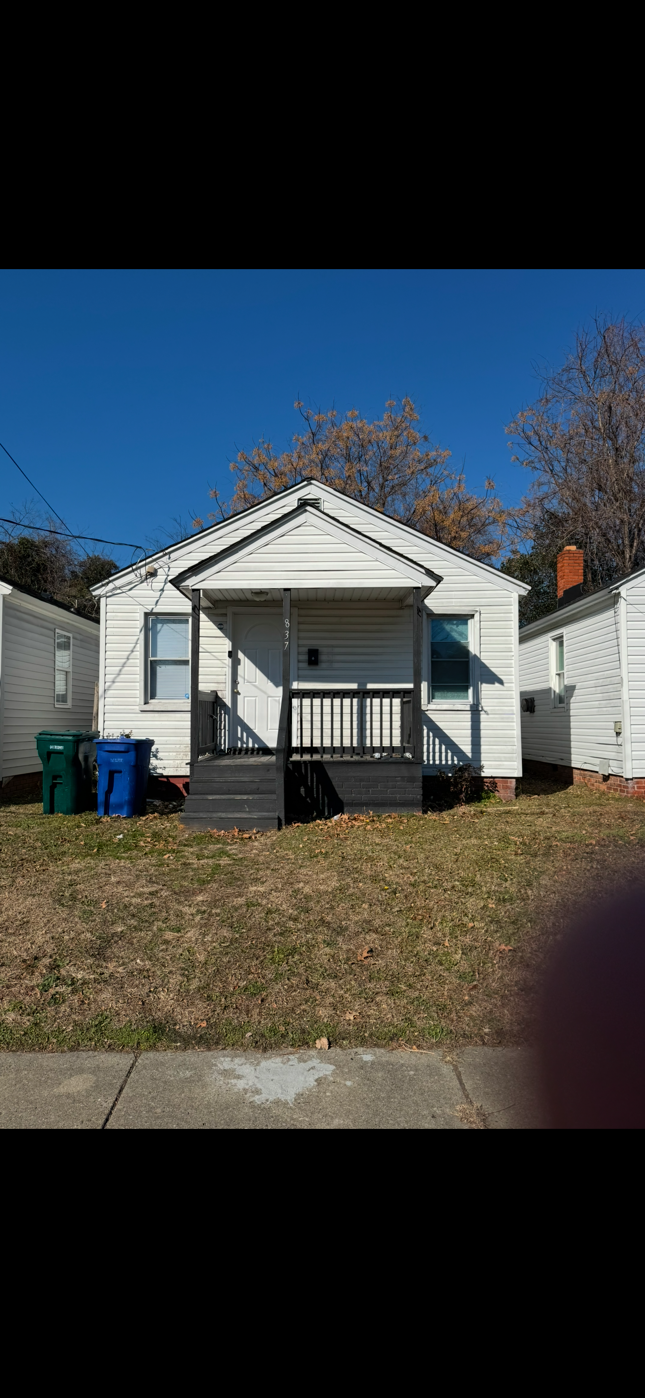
[[584, 440]]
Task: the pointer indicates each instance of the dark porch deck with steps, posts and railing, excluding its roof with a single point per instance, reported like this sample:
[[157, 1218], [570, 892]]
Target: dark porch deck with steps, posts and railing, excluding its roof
[[342, 750]]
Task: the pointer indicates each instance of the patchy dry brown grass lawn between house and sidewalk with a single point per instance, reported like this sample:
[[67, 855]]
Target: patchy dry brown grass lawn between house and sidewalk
[[371, 932]]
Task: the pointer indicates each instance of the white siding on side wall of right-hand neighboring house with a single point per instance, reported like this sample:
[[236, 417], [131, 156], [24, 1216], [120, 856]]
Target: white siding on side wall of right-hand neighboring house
[[581, 733]]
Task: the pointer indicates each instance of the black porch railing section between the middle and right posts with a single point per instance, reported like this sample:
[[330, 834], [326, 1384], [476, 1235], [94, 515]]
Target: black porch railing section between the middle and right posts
[[352, 723]]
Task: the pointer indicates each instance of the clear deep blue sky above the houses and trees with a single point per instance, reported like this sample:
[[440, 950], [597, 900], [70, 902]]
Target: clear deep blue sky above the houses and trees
[[125, 395]]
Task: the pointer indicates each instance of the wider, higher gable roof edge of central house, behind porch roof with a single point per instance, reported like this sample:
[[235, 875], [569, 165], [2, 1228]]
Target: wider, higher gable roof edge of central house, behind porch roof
[[184, 547]]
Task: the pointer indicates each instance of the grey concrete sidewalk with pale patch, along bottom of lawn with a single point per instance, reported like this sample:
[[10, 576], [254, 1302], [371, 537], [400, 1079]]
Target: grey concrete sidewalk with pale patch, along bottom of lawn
[[338, 1090]]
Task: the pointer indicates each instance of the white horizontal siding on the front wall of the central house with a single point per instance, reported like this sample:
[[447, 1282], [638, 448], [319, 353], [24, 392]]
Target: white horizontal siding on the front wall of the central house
[[371, 645]]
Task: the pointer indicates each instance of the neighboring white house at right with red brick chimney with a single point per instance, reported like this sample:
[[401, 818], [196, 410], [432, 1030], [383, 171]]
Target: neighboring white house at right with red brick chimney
[[583, 675]]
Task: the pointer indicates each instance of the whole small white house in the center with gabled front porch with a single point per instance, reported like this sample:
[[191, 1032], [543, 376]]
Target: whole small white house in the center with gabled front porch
[[311, 655]]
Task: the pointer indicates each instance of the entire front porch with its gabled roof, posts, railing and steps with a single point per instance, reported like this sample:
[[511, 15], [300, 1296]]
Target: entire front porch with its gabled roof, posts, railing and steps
[[278, 747]]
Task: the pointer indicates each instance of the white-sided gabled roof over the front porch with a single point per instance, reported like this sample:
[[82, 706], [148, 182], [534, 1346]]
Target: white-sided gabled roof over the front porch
[[318, 557]]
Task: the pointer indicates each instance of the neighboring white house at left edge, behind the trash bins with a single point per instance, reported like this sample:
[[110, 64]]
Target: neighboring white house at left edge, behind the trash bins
[[48, 675]]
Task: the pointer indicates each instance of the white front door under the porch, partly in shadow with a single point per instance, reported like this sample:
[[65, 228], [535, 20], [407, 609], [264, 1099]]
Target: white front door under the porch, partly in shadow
[[258, 677]]
